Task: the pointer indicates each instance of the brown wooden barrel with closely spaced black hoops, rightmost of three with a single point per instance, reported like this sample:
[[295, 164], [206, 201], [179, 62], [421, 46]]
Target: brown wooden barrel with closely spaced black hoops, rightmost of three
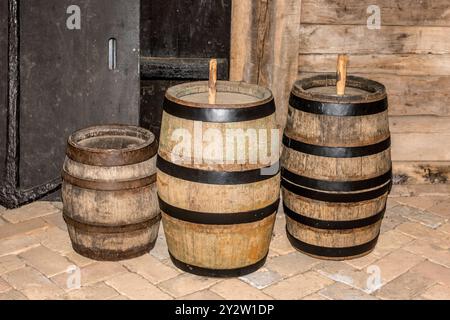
[[336, 162]]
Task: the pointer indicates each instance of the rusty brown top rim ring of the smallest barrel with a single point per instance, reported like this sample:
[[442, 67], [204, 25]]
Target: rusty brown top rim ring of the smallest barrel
[[112, 157]]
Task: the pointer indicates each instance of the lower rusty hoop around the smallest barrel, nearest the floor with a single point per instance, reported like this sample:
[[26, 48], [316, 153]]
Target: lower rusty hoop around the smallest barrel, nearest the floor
[[91, 228]]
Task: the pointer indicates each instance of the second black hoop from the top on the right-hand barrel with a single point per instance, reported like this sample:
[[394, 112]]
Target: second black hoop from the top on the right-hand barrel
[[336, 152]]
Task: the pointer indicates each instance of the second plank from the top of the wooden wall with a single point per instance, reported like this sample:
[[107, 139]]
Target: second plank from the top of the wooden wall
[[361, 40]]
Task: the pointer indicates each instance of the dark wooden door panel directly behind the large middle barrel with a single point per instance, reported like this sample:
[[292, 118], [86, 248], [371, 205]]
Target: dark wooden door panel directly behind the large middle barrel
[[178, 37]]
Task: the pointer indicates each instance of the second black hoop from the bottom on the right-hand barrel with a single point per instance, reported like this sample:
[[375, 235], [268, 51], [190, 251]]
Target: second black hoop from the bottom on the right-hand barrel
[[333, 225]]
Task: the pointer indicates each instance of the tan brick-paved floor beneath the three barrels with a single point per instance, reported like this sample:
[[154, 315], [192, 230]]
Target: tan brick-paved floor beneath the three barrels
[[412, 259]]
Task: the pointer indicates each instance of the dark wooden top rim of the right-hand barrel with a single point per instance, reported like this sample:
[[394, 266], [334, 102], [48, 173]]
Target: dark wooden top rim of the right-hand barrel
[[375, 90]]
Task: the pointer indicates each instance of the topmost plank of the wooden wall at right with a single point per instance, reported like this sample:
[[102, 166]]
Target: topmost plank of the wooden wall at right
[[404, 12]]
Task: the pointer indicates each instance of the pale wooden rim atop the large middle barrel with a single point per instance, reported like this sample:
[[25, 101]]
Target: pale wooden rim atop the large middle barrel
[[171, 94]]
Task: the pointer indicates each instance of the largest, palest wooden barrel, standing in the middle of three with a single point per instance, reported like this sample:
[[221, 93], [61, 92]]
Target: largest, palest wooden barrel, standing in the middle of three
[[218, 216]]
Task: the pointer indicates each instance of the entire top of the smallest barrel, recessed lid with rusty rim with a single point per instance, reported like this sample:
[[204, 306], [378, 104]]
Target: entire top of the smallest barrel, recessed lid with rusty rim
[[111, 145]]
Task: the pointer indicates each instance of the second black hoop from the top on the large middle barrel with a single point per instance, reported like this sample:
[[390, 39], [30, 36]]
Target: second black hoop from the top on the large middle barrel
[[212, 177]]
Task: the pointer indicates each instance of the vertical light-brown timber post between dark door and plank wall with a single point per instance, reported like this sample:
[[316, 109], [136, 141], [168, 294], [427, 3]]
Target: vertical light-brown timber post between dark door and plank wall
[[264, 46]]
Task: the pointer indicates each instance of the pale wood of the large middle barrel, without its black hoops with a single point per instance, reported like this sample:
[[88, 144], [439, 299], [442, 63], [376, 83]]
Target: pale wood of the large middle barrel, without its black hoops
[[215, 246]]
